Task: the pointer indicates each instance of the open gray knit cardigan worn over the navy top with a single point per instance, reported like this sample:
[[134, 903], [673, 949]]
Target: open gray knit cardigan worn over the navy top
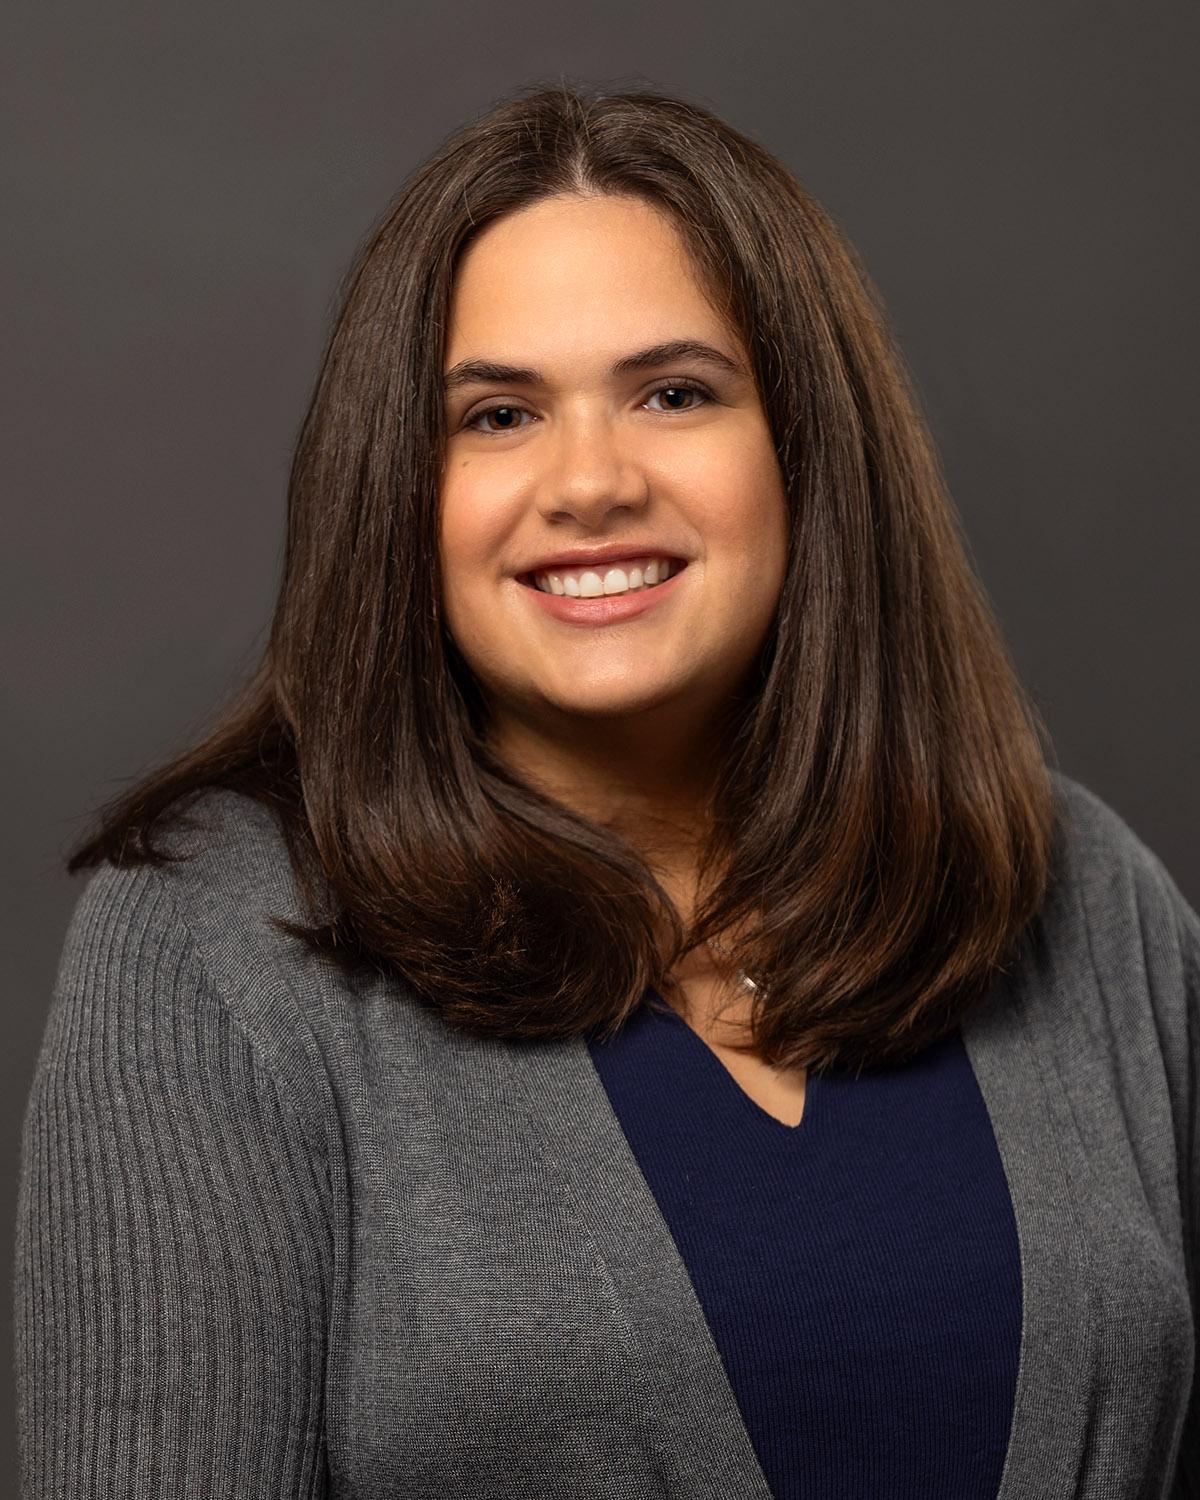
[[280, 1235]]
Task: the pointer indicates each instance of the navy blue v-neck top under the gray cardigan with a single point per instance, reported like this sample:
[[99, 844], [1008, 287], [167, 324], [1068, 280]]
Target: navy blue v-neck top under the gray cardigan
[[860, 1273]]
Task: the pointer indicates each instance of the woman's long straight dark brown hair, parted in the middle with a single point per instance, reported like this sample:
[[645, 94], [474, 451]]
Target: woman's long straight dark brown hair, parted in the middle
[[883, 826]]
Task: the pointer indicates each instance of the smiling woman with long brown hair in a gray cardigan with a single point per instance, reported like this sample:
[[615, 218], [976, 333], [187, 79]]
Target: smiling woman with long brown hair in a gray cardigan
[[620, 1006]]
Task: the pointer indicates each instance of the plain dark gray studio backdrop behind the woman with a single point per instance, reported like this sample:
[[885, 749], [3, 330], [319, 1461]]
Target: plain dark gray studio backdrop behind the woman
[[184, 188]]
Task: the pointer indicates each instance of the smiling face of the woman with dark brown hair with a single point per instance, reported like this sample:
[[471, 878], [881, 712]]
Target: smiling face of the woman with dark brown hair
[[571, 451]]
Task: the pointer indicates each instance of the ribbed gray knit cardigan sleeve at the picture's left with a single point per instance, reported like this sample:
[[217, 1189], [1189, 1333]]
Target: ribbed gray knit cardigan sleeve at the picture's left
[[173, 1244]]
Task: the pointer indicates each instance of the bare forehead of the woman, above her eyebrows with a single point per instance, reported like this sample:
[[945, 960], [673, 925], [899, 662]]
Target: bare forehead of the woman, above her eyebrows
[[569, 275]]
